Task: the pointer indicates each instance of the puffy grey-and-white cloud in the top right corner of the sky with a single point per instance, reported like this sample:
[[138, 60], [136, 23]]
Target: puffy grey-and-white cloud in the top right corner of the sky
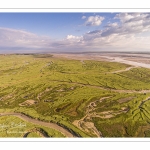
[[130, 23]]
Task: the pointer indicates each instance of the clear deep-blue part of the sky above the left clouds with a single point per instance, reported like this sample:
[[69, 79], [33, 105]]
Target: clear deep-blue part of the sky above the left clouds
[[56, 25]]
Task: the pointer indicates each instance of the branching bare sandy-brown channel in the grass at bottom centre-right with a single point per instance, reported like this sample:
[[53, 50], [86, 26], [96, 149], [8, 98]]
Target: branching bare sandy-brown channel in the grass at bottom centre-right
[[86, 124]]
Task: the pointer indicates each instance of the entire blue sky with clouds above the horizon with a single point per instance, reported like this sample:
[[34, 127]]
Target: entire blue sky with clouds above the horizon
[[74, 32]]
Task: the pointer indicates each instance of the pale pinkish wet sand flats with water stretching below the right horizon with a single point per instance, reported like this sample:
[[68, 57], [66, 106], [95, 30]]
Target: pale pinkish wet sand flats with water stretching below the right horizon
[[130, 59]]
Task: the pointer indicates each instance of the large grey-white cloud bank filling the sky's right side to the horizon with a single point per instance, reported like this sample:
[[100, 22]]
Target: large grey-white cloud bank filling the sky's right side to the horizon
[[121, 34]]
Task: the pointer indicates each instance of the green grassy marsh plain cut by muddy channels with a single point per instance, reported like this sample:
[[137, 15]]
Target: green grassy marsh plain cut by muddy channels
[[87, 97]]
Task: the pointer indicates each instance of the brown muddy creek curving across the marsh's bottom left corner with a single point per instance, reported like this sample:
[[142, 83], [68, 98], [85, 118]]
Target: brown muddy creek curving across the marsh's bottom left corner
[[46, 124]]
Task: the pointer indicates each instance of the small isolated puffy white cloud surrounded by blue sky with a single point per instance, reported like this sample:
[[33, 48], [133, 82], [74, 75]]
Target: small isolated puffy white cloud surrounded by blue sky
[[94, 20]]
